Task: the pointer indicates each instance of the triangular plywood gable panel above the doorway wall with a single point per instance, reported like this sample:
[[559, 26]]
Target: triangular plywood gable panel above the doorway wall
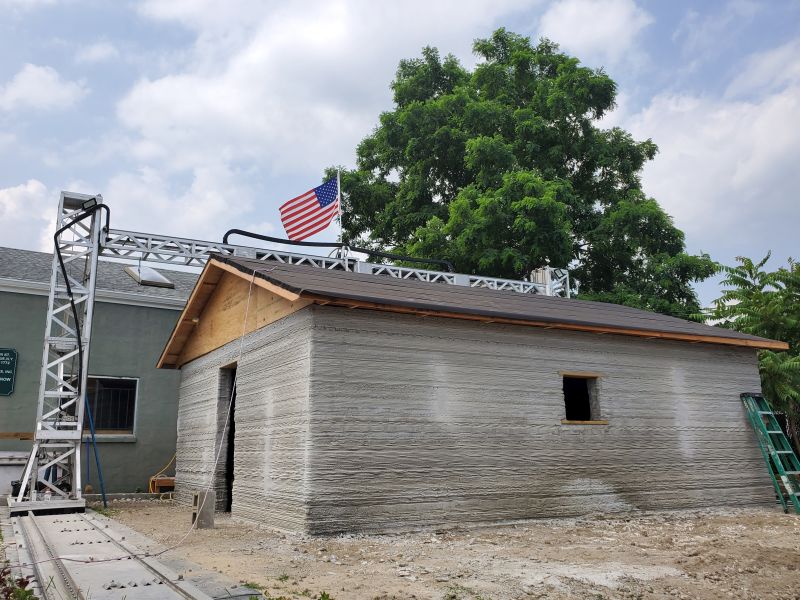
[[223, 317]]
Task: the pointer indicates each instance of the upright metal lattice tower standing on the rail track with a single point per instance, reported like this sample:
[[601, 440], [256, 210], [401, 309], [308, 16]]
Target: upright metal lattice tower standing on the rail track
[[52, 476]]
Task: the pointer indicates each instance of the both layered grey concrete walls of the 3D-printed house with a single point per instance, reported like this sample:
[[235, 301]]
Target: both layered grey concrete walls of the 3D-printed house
[[357, 420]]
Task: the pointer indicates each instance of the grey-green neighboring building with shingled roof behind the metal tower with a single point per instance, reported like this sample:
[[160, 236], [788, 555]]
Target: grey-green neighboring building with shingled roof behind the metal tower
[[134, 404]]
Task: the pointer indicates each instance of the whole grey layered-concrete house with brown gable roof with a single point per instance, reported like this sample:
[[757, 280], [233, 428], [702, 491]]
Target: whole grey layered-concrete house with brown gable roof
[[367, 403]]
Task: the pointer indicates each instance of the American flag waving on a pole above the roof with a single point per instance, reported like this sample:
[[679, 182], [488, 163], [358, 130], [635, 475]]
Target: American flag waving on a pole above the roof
[[311, 212]]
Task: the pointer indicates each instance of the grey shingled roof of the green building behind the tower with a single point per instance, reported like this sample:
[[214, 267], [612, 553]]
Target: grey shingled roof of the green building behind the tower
[[26, 271]]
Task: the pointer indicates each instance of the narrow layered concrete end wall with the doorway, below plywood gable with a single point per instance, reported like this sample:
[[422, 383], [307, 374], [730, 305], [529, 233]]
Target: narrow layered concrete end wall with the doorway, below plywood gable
[[271, 420]]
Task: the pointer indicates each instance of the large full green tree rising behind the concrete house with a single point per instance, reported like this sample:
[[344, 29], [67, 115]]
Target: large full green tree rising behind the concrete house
[[504, 169]]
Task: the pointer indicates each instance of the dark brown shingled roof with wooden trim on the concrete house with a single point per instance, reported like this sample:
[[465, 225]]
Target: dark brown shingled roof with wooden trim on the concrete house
[[379, 292]]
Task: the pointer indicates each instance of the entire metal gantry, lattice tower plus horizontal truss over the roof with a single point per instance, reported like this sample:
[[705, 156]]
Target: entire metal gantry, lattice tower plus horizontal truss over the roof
[[52, 478]]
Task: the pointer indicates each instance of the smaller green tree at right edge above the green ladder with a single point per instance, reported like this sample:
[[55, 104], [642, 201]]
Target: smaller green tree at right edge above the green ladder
[[767, 304]]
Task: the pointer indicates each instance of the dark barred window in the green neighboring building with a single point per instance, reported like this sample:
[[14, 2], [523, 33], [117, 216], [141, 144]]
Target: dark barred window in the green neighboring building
[[112, 401]]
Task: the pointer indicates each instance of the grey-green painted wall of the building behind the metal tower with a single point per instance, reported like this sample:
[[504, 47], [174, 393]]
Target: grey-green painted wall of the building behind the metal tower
[[127, 341]]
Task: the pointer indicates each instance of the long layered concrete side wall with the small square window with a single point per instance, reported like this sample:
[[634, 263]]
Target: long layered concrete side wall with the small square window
[[423, 421]]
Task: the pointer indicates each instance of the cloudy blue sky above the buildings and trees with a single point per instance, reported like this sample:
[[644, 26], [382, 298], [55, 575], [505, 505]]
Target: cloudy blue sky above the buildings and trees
[[191, 117]]
